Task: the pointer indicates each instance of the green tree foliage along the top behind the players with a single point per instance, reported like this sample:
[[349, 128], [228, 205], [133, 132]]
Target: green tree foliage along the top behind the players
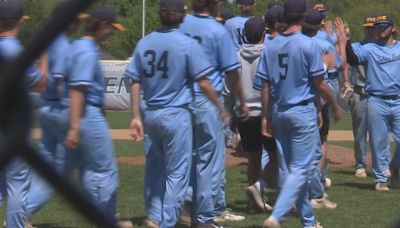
[[121, 45]]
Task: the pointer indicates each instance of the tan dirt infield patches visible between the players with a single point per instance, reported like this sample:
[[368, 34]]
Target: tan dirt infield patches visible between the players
[[338, 155]]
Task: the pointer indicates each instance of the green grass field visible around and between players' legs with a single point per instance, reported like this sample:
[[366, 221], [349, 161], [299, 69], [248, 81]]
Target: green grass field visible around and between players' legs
[[358, 204]]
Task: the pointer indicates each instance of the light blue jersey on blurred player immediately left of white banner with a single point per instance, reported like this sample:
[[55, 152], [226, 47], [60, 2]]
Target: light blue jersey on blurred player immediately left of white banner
[[83, 69]]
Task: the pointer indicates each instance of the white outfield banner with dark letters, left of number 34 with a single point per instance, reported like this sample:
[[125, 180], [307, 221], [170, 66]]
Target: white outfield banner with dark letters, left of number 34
[[117, 92]]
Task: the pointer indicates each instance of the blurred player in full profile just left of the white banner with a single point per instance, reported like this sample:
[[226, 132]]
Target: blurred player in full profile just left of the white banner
[[88, 132]]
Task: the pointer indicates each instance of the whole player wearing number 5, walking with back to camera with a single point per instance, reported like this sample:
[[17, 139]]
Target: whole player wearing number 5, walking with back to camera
[[294, 117]]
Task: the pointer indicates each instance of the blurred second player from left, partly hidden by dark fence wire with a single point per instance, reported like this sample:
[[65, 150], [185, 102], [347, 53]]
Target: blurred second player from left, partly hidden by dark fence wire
[[51, 118]]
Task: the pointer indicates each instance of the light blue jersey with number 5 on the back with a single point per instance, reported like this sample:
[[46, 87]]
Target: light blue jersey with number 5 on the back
[[288, 64]]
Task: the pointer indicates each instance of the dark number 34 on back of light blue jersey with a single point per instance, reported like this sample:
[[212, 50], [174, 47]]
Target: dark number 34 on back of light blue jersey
[[154, 64]]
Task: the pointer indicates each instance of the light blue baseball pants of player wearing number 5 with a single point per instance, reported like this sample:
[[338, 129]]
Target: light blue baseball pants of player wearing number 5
[[296, 134]]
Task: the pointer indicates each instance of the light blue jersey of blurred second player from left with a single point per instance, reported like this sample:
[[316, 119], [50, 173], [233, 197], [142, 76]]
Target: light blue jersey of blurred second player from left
[[57, 55]]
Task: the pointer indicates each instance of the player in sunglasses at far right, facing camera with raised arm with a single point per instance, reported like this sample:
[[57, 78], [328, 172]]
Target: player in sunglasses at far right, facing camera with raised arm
[[382, 86]]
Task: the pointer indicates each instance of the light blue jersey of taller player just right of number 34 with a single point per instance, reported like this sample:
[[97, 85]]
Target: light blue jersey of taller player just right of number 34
[[217, 44]]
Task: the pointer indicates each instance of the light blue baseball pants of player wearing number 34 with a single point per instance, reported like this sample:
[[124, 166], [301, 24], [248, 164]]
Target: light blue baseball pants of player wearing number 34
[[168, 148]]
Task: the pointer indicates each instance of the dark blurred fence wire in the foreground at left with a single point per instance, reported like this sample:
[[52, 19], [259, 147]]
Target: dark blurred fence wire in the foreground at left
[[16, 114]]
